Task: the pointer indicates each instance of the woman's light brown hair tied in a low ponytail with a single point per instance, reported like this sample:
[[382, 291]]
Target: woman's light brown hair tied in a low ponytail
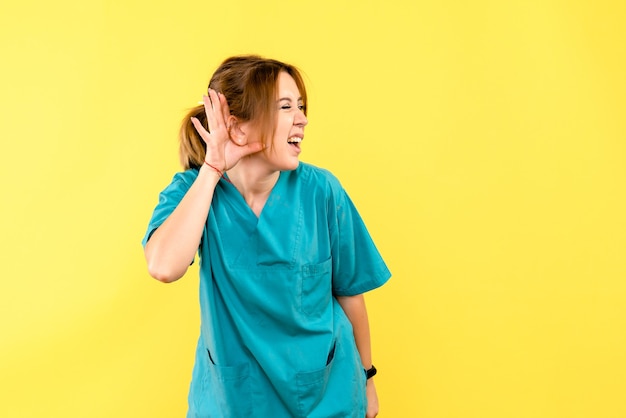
[[249, 83]]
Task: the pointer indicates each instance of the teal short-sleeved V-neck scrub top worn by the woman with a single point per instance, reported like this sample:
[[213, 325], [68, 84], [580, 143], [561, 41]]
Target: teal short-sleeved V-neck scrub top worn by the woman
[[274, 342]]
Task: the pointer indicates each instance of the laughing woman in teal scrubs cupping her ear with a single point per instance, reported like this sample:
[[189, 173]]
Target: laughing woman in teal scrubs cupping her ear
[[284, 256]]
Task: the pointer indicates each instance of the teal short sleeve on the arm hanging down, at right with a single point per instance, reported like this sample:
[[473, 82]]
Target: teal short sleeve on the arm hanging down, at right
[[358, 267]]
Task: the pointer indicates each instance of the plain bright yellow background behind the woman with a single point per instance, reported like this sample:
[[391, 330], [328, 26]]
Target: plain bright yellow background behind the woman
[[484, 143]]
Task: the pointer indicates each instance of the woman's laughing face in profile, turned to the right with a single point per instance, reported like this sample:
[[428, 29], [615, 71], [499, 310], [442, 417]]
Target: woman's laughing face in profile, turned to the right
[[290, 122]]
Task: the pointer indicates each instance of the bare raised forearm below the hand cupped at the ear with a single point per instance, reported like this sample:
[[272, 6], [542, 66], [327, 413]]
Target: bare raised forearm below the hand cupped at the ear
[[172, 247]]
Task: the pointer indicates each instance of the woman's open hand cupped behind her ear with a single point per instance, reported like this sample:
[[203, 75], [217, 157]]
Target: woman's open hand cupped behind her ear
[[222, 152]]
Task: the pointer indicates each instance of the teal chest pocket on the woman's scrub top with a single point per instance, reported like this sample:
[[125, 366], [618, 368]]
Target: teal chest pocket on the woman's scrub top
[[315, 288]]
